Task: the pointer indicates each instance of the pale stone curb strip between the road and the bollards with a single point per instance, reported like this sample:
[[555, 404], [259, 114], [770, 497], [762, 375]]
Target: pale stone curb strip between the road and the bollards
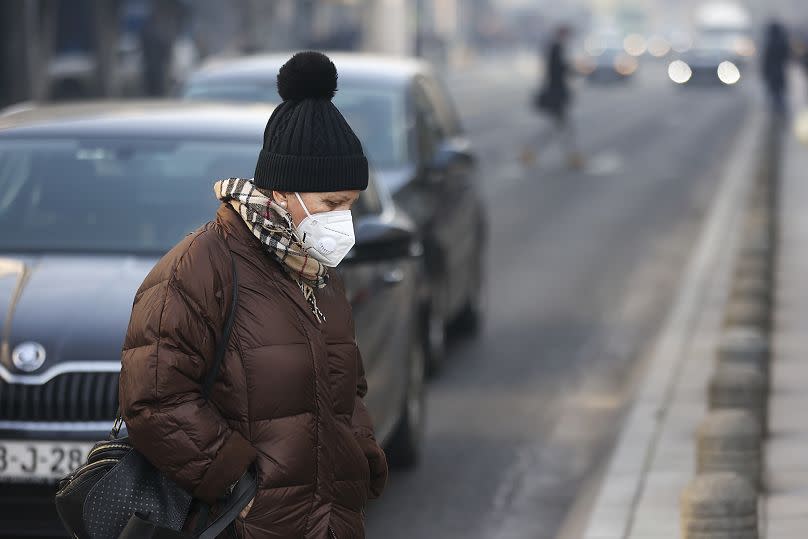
[[705, 283]]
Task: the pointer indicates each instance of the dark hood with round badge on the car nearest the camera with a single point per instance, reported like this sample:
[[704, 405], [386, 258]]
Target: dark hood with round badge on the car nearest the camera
[[76, 308]]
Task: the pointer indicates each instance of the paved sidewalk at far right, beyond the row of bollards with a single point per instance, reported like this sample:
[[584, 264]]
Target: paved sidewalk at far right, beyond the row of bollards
[[786, 504]]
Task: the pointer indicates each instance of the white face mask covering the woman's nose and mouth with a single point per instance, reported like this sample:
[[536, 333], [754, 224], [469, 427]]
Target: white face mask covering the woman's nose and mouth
[[327, 236]]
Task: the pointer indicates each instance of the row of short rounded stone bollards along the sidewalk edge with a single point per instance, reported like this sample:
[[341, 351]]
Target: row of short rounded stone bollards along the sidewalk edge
[[731, 436]]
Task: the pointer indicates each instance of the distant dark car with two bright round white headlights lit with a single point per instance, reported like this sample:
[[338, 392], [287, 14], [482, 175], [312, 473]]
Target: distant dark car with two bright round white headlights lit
[[707, 66]]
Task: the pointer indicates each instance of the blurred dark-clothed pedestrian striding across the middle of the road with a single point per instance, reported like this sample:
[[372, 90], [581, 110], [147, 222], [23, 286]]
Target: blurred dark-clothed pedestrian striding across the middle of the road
[[554, 99]]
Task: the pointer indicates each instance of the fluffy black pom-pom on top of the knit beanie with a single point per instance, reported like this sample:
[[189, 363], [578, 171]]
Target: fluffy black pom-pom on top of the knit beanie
[[307, 75]]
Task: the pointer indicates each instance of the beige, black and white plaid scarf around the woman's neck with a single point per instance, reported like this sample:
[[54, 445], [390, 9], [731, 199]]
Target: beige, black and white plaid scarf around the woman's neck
[[273, 226]]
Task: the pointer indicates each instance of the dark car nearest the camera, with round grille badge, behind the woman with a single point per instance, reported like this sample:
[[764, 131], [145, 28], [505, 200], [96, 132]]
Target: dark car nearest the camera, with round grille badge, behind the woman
[[90, 197]]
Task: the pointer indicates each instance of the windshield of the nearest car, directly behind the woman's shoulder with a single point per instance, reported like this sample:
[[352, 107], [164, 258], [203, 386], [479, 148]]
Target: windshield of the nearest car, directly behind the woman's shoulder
[[132, 196]]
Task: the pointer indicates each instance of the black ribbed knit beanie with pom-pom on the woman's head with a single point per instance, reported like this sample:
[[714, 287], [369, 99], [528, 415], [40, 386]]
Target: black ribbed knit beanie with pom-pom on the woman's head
[[308, 145]]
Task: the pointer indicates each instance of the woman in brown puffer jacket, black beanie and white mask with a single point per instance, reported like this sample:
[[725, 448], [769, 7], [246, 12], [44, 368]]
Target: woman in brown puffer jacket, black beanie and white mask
[[287, 402]]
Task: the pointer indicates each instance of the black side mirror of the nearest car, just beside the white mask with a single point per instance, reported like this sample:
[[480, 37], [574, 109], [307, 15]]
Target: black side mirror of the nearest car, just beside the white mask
[[379, 240]]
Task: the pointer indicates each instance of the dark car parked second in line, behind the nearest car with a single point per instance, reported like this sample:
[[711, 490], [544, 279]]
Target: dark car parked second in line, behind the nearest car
[[413, 136]]
